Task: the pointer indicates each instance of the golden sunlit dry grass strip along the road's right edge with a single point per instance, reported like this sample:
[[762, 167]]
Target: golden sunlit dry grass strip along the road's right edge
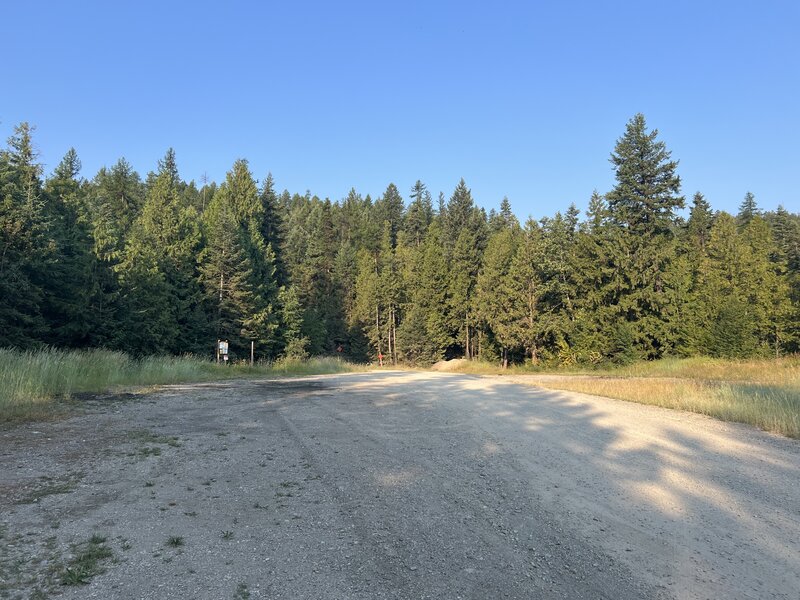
[[760, 392]]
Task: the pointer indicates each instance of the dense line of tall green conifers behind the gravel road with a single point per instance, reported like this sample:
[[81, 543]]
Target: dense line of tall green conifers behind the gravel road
[[159, 265]]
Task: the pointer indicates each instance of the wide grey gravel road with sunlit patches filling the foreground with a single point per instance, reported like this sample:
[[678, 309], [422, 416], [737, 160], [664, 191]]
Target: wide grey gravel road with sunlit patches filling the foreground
[[396, 485]]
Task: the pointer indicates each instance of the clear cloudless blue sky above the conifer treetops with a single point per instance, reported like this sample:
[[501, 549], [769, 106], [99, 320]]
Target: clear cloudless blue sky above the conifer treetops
[[522, 99]]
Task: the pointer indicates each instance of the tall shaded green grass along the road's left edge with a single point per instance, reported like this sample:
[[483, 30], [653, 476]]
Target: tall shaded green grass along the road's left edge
[[31, 382]]
